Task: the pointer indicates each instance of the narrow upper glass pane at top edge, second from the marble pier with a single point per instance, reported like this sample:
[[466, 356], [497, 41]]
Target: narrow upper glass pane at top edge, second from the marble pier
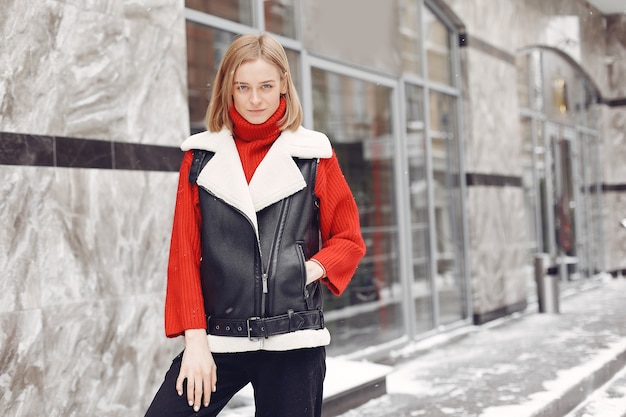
[[410, 33]]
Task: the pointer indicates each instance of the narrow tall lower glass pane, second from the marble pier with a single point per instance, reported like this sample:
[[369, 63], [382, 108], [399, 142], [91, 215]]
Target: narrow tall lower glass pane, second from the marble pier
[[418, 191]]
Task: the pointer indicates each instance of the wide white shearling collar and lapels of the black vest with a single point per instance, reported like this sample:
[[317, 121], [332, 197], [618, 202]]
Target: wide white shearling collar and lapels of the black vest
[[276, 177]]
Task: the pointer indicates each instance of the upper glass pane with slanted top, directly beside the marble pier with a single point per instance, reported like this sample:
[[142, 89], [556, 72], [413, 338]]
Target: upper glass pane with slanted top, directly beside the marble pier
[[438, 48]]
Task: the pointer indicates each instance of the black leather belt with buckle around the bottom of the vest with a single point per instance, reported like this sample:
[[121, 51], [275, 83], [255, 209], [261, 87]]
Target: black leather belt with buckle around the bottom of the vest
[[258, 327]]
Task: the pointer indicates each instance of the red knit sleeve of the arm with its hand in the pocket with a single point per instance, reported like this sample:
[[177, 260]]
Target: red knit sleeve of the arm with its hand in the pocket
[[342, 243]]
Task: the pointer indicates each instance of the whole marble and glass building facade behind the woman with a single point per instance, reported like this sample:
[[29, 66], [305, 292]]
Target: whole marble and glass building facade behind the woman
[[471, 147]]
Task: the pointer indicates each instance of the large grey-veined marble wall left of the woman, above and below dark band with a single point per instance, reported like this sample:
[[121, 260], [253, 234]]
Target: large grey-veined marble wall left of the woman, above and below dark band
[[83, 251]]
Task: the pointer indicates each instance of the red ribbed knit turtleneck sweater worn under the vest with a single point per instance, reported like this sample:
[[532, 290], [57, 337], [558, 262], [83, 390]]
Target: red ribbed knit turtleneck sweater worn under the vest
[[342, 244]]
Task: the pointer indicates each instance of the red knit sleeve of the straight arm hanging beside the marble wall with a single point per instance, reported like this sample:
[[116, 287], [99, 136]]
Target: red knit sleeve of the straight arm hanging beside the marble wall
[[184, 304]]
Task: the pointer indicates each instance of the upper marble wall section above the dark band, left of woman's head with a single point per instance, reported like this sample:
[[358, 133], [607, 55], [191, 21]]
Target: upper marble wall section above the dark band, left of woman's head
[[94, 69]]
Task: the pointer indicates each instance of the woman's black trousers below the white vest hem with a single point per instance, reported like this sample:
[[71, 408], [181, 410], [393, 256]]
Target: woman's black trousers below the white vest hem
[[286, 384]]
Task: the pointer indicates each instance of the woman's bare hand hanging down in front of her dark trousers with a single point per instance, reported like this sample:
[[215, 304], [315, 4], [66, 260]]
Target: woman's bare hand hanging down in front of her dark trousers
[[198, 368]]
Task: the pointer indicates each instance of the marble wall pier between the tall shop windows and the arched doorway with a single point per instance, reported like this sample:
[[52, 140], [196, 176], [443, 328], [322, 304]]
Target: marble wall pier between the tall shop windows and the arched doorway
[[497, 230]]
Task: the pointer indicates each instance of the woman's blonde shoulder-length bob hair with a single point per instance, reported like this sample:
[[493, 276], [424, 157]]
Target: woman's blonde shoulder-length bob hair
[[245, 48]]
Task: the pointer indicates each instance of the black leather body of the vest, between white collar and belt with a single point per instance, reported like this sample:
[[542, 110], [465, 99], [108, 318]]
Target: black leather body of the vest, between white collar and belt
[[244, 276]]
